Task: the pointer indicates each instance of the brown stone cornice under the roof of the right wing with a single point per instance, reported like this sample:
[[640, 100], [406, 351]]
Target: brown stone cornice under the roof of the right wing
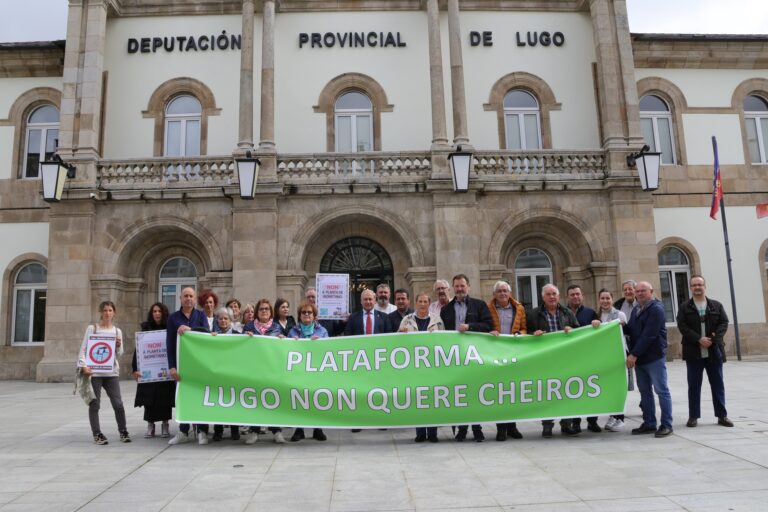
[[700, 51]]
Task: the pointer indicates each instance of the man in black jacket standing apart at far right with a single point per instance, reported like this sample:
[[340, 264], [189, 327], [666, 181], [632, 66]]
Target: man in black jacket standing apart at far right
[[703, 323]]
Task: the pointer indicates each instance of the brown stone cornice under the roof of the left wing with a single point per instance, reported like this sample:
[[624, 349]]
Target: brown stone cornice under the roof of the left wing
[[31, 59]]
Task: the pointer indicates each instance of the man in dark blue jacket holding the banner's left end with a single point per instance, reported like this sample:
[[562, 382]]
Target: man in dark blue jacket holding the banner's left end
[[185, 319]]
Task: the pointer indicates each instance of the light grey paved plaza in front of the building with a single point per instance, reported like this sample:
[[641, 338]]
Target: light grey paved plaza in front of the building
[[49, 462]]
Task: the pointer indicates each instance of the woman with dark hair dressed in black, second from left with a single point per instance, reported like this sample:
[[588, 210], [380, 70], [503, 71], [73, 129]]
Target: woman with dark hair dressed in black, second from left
[[157, 398]]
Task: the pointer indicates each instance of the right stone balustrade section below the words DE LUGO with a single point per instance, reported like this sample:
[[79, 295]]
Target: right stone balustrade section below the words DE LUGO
[[537, 164]]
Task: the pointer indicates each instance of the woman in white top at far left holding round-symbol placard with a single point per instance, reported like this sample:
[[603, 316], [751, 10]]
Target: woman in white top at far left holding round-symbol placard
[[94, 361]]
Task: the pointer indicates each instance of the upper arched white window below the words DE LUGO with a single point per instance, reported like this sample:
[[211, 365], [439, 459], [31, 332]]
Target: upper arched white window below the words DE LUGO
[[521, 120]]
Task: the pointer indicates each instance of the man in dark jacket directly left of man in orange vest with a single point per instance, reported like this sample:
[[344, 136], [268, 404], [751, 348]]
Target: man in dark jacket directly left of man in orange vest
[[464, 314]]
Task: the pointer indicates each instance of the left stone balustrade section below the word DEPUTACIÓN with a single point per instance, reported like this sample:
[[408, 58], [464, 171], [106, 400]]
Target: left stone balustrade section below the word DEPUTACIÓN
[[166, 172]]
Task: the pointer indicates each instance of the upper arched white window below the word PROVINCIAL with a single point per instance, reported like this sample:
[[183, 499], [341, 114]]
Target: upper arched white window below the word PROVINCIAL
[[353, 114]]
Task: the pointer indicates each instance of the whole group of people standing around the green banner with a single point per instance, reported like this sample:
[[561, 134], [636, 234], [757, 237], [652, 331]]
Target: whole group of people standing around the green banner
[[701, 320]]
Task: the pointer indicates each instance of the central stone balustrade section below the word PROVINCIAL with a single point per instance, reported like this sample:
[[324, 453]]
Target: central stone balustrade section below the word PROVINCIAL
[[333, 167]]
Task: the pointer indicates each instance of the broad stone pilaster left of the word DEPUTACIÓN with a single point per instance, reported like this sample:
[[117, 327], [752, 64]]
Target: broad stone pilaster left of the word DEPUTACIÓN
[[80, 117]]
